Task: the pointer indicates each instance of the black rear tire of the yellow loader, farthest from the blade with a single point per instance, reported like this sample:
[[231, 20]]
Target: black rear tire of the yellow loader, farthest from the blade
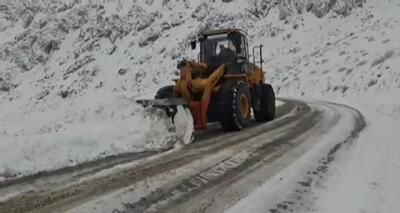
[[266, 111]]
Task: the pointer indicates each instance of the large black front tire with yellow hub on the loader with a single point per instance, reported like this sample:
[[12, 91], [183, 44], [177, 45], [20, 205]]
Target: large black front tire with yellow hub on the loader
[[235, 106]]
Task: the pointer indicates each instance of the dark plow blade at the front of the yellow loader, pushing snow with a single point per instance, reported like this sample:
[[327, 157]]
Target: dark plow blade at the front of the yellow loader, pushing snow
[[170, 106]]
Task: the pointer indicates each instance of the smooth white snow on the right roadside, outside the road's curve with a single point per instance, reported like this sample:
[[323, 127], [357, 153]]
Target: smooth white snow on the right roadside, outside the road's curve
[[366, 180]]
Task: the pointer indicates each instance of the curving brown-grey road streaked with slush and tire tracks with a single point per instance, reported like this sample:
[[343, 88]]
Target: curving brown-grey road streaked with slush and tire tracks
[[210, 175]]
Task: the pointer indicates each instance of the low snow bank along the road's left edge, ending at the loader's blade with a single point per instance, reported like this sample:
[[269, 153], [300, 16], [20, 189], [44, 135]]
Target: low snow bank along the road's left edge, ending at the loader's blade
[[48, 141]]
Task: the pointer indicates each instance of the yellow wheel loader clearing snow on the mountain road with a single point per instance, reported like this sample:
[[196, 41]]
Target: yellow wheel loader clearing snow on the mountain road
[[223, 85]]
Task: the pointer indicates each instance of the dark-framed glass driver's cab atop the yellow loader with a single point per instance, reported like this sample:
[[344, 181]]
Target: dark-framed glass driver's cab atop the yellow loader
[[227, 46]]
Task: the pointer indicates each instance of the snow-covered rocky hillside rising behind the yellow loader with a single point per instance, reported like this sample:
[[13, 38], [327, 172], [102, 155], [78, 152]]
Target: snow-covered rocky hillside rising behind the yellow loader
[[70, 70]]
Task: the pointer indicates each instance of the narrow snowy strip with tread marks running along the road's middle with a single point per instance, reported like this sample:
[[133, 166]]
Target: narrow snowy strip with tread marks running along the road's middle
[[229, 168]]
